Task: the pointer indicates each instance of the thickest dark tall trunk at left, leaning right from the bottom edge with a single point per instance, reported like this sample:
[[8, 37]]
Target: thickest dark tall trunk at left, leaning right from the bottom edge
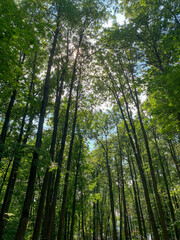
[[30, 189]]
